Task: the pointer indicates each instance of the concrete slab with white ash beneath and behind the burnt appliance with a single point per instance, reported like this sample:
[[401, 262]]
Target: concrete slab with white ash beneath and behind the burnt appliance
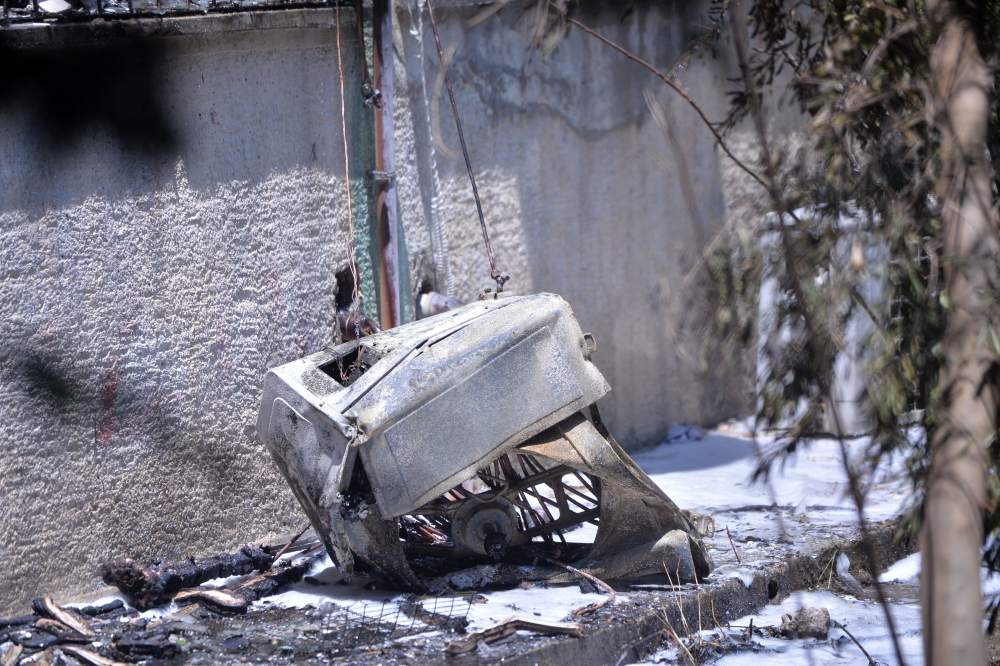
[[763, 553]]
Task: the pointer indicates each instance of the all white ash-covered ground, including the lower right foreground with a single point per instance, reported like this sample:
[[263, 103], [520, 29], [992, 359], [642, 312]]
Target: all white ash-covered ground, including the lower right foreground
[[759, 528]]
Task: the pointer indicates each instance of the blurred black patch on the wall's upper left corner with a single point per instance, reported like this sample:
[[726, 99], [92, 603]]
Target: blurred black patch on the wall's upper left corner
[[66, 90]]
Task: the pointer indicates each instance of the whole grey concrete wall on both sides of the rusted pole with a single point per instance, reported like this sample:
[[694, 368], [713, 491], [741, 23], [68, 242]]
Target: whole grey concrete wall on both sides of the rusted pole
[[147, 287]]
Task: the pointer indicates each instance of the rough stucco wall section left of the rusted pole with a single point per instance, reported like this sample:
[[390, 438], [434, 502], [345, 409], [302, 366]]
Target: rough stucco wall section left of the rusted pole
[[144, 296]]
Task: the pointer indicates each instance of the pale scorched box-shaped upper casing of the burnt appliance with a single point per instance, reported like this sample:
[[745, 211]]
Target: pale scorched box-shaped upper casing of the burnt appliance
[[444, 396]]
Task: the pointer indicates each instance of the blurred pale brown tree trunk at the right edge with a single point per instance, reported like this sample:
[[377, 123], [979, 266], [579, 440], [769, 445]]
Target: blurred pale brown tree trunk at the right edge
[[952, 533]]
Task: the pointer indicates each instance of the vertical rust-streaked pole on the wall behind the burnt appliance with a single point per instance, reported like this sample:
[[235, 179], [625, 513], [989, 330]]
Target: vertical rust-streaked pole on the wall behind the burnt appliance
[[385, 166]]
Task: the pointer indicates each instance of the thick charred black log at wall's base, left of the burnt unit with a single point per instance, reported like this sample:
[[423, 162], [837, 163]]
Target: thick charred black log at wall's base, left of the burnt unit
[[148, 587]]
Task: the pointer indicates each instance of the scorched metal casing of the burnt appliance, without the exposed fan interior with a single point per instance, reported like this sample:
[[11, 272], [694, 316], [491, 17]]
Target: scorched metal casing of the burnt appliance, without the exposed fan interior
[[430, 404]]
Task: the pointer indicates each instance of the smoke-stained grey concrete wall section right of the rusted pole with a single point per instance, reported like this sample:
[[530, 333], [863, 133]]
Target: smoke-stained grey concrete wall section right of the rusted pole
[[576, 201]]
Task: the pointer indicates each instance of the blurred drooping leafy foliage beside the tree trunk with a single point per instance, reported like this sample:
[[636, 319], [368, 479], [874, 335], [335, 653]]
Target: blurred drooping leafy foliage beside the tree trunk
[[868, 238]]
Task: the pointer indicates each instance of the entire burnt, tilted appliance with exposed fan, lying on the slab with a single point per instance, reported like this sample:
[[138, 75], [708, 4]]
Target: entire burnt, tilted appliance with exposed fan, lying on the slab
[[462, 450]]
